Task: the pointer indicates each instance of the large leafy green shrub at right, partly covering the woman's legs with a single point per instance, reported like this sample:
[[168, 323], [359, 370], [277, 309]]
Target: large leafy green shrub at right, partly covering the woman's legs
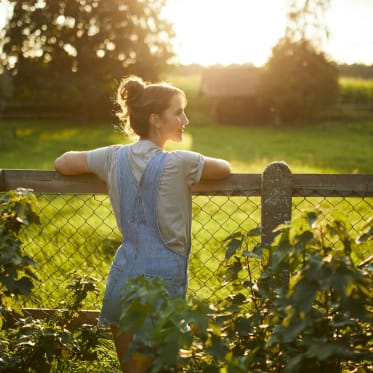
[[310, 309]]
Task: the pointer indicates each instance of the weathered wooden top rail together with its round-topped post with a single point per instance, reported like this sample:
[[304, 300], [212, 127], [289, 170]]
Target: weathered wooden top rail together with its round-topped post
[[276, 187]]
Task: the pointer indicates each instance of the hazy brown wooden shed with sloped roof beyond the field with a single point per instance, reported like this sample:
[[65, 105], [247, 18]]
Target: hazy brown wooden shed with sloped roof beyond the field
[[233, 93]]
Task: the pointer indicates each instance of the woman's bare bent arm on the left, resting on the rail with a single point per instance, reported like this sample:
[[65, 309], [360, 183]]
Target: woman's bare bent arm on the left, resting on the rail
[[72, 163]]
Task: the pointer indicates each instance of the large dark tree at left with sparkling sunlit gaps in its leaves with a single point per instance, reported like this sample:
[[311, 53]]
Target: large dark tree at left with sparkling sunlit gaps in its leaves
[[74, 51]]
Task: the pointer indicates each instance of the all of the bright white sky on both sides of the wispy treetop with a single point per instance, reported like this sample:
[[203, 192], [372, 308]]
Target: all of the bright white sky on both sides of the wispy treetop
[[244, 31]]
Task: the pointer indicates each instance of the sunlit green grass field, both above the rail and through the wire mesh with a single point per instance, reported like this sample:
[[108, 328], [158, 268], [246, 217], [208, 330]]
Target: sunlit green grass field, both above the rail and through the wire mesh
[[79, 232]]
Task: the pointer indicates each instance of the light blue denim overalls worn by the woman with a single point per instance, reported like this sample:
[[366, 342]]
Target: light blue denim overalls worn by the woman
[[142, 252]]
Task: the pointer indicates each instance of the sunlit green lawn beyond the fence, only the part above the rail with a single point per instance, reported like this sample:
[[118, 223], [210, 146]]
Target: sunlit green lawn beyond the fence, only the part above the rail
[[329, 147]]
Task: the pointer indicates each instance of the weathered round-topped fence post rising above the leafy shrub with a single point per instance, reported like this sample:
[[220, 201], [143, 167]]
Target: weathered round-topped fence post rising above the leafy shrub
[[276, 198]]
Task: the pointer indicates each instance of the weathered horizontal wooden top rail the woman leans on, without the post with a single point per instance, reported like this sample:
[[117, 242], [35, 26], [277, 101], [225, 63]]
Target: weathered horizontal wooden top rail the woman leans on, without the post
[[303, 185]]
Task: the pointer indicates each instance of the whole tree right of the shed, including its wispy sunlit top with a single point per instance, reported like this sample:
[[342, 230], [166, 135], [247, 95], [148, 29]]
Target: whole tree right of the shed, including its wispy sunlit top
[[299, 80]]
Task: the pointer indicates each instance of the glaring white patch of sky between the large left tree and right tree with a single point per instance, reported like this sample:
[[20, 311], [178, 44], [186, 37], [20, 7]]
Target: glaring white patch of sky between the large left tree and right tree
[[226, 32]]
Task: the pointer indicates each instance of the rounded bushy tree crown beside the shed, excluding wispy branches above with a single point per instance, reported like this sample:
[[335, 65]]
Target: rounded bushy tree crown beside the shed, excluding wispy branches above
[[299, 81]]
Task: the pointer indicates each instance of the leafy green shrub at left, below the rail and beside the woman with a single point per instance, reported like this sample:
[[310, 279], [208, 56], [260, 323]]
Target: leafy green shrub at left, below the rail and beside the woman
[[34, 345]]
